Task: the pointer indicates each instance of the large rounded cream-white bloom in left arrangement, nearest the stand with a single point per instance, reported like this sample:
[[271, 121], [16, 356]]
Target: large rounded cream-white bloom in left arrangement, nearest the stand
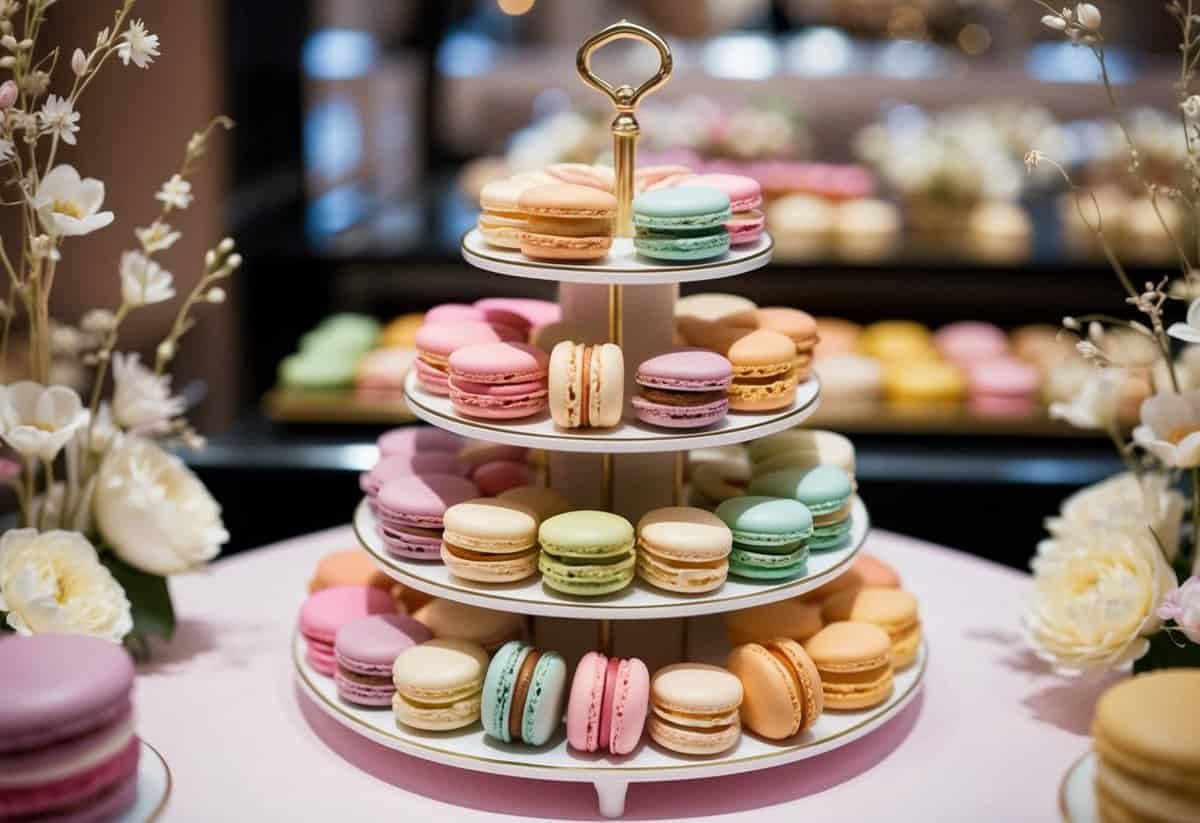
[[155, 514]]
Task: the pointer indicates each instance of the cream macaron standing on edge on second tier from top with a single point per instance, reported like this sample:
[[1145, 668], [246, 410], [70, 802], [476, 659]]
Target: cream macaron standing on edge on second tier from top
[[587, 386]]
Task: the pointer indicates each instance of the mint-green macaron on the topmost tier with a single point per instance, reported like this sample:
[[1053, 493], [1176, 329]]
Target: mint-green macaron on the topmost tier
[[683, 224]]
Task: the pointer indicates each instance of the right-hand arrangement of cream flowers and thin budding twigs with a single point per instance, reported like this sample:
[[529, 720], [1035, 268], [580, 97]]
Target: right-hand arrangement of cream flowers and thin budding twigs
[[1106, 588]]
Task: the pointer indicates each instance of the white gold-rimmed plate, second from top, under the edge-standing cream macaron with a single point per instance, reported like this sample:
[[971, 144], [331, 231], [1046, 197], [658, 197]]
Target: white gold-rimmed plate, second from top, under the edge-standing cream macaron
[[631, 437]]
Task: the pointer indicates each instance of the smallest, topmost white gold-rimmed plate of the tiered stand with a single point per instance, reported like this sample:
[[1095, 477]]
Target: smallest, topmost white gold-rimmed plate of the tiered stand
[[623, 266]]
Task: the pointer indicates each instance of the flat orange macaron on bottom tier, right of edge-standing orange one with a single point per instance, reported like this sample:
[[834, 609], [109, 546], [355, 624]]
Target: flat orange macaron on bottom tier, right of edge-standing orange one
[[855, 662]]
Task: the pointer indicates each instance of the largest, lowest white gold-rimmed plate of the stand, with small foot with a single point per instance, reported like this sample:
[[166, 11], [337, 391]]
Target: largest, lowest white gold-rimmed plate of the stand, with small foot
[[471, 749]]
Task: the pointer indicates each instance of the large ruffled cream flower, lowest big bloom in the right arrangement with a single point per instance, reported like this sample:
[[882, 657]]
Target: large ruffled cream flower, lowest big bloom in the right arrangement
[[1095, 600]]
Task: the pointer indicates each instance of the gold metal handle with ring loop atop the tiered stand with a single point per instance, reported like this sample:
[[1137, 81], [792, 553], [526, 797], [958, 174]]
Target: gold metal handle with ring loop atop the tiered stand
[[626, 99]]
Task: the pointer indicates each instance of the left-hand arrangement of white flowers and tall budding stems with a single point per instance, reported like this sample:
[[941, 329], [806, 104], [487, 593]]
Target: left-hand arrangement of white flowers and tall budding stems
[[107, 513]]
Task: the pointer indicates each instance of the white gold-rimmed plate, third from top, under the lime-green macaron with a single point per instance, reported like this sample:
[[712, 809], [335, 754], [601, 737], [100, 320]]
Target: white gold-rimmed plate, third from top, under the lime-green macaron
[[639, 602]]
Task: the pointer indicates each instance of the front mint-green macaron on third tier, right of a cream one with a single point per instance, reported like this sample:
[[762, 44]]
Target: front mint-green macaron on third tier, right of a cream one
[[771, 537]]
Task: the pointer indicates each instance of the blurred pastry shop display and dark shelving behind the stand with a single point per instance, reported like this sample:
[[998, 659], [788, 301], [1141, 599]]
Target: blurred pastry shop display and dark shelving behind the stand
[[889, 136]]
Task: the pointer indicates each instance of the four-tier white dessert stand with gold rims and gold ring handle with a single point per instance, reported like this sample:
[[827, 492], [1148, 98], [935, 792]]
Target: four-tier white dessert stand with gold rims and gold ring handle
[[628, 470]]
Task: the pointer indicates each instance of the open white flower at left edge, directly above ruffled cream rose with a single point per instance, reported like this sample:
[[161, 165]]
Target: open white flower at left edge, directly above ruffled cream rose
[[38, 422]]
